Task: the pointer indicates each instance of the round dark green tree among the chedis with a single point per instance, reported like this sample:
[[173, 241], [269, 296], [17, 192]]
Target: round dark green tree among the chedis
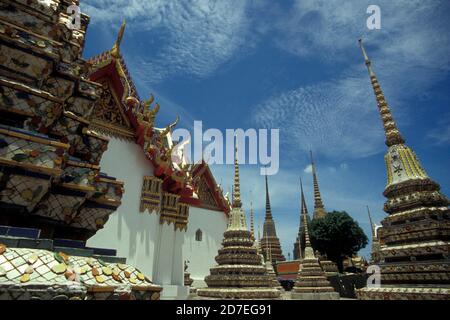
[[338, 236]]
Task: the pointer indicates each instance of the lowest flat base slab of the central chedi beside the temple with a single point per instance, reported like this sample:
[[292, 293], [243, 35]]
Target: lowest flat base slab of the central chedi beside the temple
[[238, 293]]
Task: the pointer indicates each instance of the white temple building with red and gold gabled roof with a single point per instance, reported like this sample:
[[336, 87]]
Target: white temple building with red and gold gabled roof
[[173, 211]]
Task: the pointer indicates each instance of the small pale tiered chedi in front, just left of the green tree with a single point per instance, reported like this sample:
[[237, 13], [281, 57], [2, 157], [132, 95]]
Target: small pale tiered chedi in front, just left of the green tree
[[312, 282]]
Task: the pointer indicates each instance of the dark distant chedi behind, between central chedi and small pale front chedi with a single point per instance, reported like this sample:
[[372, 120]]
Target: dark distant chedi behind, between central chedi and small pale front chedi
[[270, 239]]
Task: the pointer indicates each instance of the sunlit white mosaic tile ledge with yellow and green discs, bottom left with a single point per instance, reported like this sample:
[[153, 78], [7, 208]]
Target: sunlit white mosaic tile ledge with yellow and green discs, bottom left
[[23, 267]]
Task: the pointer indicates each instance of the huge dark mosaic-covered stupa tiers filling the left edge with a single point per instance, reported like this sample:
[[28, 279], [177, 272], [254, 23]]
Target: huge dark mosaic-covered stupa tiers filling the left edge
[[50, 178]]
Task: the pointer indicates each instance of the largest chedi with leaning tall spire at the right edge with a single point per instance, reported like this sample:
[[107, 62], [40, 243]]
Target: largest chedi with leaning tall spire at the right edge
[[415, 236]]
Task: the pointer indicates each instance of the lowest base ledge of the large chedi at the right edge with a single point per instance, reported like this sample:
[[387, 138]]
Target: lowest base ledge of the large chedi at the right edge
[[403, 293]]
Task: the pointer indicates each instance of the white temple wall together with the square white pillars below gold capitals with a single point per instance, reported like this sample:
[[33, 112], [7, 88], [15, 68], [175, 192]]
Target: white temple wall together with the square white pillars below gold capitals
[[154, 248]]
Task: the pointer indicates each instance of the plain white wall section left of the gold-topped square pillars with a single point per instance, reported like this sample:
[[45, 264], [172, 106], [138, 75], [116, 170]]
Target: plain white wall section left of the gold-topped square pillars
[[133, 234]]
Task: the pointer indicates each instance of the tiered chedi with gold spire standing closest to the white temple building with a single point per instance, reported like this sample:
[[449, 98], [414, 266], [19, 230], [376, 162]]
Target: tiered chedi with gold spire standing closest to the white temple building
[[240, 273]]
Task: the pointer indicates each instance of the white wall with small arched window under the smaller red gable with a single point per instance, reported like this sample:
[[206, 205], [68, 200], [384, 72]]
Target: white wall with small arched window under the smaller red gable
[[201, 254]]
